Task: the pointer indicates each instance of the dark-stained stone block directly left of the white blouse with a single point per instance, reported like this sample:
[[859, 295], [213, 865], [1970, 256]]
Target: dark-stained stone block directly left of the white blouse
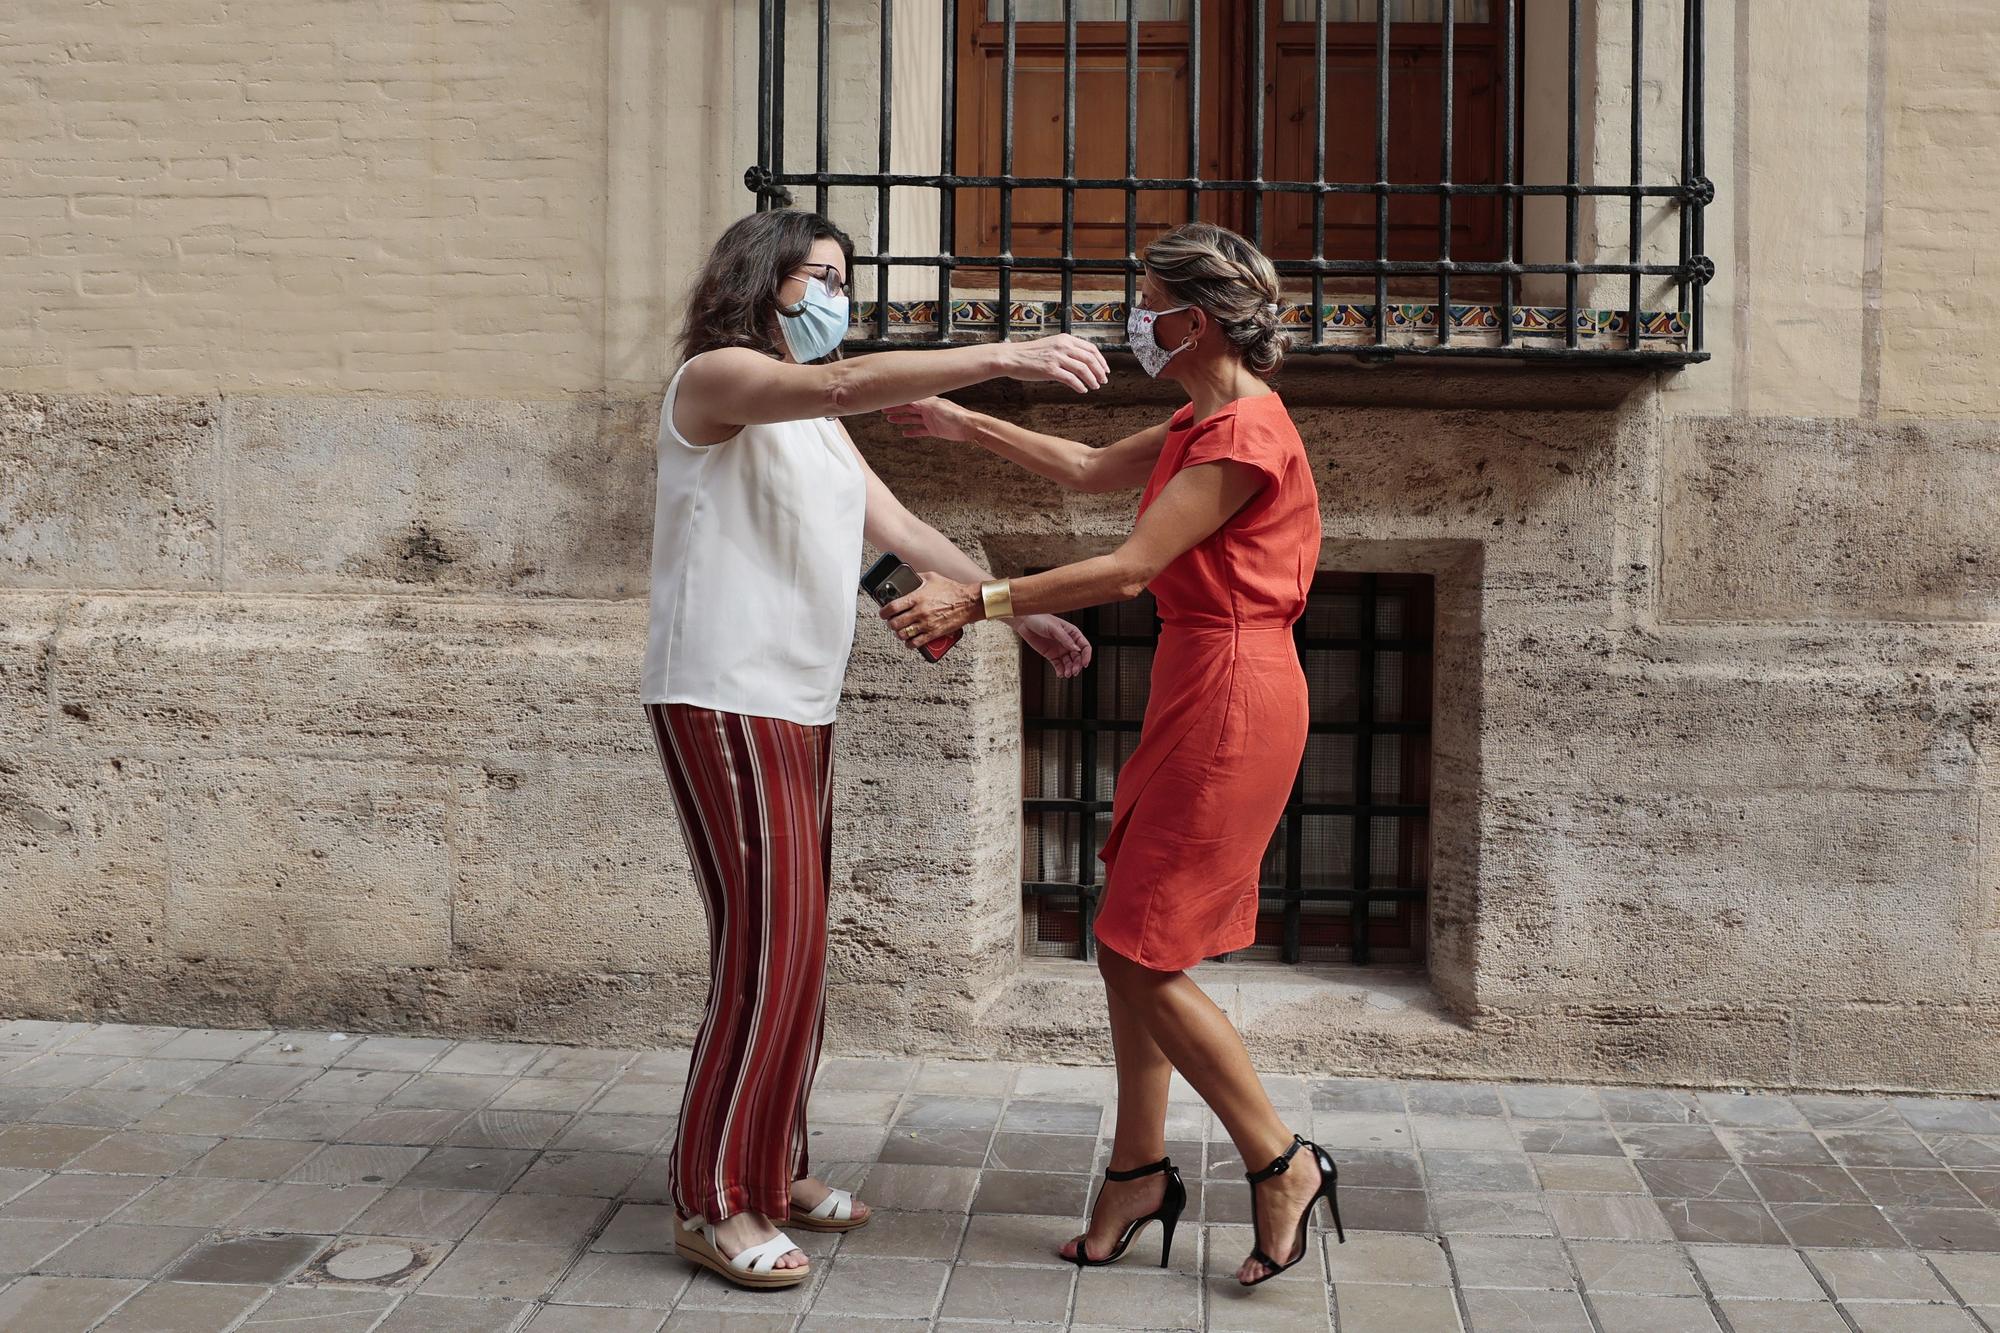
[[427, 495]]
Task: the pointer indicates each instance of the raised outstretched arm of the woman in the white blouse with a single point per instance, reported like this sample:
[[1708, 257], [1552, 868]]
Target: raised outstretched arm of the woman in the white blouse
[[737, 387]]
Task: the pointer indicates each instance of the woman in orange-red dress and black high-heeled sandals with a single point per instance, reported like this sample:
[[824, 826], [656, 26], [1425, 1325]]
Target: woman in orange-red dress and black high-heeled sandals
[[1227, 539]]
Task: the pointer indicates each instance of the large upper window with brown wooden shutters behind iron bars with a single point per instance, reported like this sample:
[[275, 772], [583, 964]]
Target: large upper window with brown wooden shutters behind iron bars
[[1517, 179]]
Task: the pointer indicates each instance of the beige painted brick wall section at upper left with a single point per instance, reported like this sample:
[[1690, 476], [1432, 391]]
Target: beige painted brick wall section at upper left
[[325, 195]]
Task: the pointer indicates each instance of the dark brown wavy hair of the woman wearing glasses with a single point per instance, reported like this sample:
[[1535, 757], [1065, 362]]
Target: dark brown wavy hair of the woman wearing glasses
[[735, 299]]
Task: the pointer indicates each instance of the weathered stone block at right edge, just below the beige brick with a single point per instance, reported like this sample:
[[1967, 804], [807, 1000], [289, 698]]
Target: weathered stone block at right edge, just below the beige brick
[[1781, 519]]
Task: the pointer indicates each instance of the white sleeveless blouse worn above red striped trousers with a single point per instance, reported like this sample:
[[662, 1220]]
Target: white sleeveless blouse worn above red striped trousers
[[757, 547]]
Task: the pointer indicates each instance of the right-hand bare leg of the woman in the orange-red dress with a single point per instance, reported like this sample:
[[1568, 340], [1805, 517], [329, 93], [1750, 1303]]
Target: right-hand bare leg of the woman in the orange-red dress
[[1199, 1040]]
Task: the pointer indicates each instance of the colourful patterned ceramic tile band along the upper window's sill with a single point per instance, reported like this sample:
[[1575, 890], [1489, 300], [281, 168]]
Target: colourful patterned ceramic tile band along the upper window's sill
[[1343, 323]]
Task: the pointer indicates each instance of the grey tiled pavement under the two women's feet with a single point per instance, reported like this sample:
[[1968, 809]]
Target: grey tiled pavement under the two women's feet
[[165, 1180]]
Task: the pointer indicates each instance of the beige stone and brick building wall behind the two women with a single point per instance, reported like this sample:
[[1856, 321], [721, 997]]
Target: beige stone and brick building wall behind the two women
[[331, 345]]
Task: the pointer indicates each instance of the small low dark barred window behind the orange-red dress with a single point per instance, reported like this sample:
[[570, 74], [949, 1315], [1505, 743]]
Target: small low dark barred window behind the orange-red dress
[[1347, 872]]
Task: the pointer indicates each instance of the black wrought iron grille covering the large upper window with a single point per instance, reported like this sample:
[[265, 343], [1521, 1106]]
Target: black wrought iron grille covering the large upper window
[[1375, 305]]
